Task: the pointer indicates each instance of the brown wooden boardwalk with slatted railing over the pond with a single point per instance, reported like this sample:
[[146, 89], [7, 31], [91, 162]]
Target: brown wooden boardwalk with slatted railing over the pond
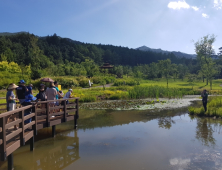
[[40, 115]]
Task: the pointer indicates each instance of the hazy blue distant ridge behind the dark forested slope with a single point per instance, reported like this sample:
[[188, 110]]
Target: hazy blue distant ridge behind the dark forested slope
[[176, 53]]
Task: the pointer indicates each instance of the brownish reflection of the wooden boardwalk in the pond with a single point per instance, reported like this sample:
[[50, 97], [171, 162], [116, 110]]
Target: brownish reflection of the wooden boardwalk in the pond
[[49, 154]]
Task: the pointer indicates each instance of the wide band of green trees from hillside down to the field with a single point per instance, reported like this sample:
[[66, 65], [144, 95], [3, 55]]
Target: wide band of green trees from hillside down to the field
[[56, 56]]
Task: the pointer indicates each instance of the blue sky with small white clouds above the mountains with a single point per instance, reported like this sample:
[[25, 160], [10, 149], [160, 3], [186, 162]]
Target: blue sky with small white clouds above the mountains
[[167, 24]]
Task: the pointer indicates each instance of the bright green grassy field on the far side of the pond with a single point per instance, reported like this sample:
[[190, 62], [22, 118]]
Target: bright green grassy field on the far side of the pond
[[146, 88]]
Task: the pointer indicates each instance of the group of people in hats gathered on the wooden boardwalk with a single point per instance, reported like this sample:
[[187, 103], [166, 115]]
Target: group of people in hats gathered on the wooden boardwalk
[[24, 95]]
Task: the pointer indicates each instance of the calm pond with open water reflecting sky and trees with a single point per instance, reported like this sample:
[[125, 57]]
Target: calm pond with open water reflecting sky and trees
[[169, 139]]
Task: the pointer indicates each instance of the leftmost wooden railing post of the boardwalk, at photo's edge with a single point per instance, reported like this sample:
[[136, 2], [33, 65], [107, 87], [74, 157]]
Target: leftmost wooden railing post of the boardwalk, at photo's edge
[[3, 137]]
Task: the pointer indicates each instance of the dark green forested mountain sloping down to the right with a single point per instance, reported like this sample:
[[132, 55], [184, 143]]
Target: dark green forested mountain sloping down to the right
[[25, 48]]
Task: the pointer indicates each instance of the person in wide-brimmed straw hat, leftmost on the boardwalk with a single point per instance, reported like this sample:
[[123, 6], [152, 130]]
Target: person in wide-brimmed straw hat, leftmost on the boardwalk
[[10, 99]]
